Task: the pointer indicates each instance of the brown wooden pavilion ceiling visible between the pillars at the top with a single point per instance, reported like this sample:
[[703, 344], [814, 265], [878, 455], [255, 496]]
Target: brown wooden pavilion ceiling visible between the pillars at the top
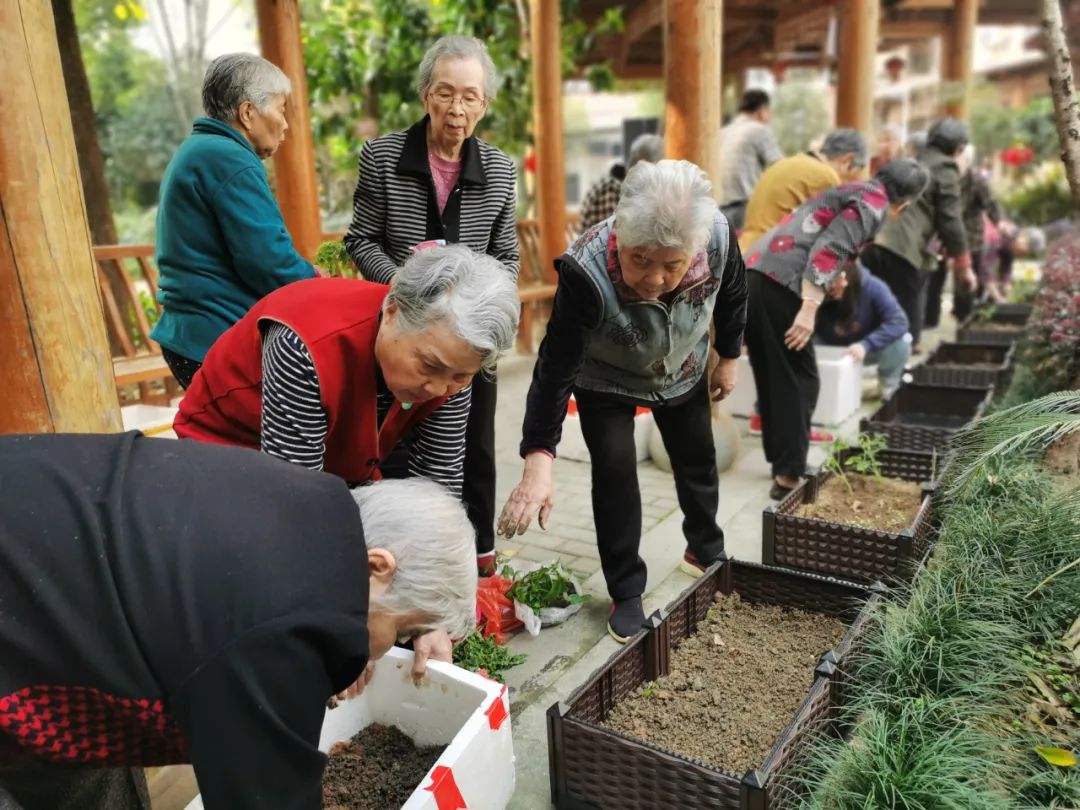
[[762, 33]]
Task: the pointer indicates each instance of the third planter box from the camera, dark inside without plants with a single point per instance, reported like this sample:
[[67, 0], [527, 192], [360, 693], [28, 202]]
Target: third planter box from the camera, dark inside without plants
[[925, 417]]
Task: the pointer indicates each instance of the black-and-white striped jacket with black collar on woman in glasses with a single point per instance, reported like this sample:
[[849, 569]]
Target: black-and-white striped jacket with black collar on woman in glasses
[[395, 206]]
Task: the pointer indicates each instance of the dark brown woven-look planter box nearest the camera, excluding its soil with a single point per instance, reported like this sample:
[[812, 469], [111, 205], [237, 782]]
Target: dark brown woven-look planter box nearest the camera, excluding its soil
[[593, 768]]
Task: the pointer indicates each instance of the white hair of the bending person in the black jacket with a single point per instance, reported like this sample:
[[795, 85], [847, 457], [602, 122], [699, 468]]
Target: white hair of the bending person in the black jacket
[[435, 545]]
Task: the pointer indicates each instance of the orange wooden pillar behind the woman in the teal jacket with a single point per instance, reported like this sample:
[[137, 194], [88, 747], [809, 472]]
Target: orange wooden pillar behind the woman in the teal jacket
[[294, 164]]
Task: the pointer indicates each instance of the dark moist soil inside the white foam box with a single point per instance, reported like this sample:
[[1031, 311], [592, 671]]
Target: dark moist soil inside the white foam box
[[375, 771]]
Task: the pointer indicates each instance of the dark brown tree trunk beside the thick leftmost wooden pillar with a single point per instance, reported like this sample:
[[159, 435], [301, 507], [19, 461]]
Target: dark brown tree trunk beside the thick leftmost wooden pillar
[[96, 188]]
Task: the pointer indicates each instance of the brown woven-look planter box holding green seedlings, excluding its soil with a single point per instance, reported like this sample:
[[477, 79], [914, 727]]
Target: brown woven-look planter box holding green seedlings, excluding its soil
[[845, 550]]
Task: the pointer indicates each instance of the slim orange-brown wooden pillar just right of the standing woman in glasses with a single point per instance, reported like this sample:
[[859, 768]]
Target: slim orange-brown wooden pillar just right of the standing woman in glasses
[[548, 132]]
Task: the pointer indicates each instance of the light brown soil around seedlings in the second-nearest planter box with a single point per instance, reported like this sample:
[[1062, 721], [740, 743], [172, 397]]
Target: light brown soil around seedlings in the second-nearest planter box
[[889, 505]]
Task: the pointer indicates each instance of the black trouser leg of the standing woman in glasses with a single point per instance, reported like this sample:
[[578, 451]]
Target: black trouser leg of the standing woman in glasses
[[478, 489]]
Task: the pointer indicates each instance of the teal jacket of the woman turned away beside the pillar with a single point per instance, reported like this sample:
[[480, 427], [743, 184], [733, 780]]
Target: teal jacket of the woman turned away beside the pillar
[[222, 241]]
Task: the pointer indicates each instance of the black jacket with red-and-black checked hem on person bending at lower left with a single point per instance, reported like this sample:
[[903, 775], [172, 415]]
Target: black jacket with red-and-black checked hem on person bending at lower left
[[166, 602]]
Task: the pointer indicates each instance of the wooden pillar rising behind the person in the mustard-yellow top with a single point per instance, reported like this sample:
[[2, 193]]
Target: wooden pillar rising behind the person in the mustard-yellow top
[[858, 47]]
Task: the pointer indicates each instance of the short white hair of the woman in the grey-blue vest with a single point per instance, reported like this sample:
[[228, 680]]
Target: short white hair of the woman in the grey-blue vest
[[668, 205]]
